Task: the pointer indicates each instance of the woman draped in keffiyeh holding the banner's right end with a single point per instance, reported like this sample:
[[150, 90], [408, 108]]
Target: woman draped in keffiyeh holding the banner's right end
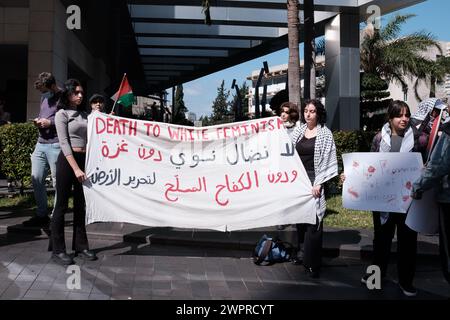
[[315, 145]]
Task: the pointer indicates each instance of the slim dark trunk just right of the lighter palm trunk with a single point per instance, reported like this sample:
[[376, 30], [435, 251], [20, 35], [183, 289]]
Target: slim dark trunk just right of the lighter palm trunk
[[309, 51]]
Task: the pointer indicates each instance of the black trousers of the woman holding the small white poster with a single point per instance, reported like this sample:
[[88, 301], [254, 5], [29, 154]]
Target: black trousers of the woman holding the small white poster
[[406, 246]]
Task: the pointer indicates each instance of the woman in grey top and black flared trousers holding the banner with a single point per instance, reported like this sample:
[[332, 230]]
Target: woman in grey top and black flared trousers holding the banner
[[71, 126]]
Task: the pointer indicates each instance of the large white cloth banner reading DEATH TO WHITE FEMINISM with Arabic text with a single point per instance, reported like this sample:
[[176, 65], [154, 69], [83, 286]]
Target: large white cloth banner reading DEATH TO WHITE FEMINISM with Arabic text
[[229, 177]]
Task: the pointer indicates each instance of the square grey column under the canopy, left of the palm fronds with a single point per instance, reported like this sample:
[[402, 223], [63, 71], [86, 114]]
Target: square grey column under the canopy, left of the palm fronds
[[342, 65]]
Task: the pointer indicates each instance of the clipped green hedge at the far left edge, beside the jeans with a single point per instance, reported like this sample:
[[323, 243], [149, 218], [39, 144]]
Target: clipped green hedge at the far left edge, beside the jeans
[[17, 142]]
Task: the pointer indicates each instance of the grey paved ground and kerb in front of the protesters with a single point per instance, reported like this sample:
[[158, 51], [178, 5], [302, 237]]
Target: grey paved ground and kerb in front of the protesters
[[139, 262]]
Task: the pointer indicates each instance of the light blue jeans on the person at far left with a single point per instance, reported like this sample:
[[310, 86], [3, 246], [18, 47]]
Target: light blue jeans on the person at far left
[[43, 158]]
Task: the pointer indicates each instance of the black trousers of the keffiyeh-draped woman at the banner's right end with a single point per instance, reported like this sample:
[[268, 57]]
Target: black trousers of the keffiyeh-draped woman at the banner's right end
[[310, 237]]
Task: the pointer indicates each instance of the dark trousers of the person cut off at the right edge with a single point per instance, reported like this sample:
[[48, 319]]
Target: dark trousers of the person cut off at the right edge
[[444, 239]]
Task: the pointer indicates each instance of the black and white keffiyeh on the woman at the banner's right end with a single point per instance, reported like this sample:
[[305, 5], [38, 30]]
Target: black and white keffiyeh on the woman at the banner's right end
[[325, 160]]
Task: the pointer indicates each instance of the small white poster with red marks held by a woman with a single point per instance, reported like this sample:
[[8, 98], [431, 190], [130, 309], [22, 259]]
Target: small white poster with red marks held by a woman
[[380, 181]]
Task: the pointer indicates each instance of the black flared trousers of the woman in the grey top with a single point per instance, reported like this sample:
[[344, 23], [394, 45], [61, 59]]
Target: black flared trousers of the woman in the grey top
[[65, 180]]
